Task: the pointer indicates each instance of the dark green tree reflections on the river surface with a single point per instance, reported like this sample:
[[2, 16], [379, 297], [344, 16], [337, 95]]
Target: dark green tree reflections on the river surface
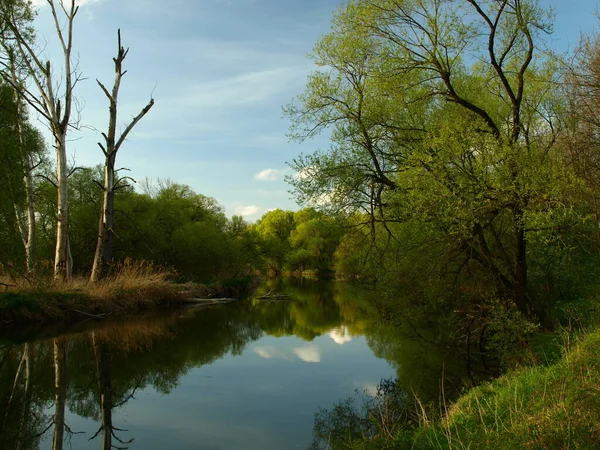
[[94, 372]]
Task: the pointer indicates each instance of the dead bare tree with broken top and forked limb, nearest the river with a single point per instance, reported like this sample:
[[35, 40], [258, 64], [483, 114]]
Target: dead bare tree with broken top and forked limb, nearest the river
[[104, 246]]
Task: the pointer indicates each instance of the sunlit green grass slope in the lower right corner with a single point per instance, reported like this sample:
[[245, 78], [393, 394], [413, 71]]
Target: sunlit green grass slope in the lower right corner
[[545, 407]]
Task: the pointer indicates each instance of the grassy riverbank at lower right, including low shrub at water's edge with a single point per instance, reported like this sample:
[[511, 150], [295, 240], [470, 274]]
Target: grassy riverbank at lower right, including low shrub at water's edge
[[547, 406]]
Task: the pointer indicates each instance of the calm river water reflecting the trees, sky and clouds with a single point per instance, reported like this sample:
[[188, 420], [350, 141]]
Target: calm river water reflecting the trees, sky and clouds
[[248, 375]]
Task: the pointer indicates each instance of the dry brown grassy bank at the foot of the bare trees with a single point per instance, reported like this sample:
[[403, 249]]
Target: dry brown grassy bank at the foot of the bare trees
[[133, 289]]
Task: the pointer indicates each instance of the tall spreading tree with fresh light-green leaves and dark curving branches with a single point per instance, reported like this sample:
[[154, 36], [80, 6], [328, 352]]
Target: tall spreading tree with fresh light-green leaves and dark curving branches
[[443, 114]]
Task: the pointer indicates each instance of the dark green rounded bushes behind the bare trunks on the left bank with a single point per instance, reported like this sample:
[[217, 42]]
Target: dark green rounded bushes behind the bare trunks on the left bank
[[175, 227]]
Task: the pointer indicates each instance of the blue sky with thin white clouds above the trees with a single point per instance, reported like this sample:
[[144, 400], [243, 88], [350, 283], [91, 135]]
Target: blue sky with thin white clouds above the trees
[[220, 72]]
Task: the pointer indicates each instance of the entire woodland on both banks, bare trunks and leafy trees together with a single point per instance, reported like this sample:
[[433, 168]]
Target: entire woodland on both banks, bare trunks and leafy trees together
[[461, 184]]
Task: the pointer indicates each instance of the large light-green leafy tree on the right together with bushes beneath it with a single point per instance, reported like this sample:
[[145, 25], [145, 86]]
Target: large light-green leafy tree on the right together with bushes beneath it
[[447, 152]]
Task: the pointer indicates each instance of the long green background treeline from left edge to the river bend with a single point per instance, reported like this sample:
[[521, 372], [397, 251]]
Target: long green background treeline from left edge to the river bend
[[176, 228]]
